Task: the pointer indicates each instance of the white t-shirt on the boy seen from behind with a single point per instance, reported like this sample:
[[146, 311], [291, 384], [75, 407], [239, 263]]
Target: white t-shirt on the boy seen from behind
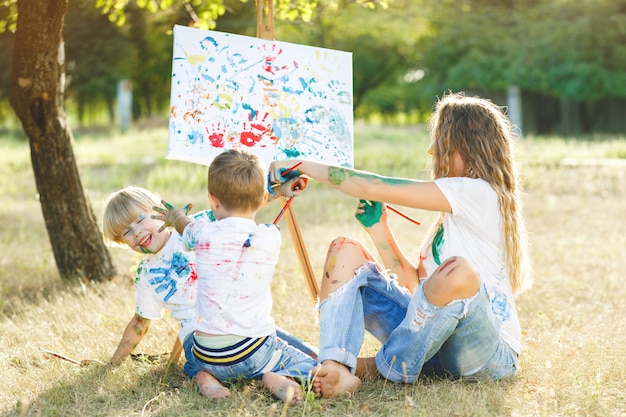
[[235, 264]]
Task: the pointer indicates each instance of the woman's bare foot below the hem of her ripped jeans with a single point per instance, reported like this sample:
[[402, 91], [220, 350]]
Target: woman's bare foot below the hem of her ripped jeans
[[332, 379]]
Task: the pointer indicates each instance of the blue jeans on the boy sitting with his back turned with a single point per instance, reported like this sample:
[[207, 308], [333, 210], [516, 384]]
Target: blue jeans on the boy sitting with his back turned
[[295, 360]]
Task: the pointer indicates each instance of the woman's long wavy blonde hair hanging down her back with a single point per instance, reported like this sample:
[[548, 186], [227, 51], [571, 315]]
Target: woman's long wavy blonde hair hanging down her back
[[482, 135]]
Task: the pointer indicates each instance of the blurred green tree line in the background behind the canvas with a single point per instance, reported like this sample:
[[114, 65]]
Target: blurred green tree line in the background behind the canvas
[[567, 57]]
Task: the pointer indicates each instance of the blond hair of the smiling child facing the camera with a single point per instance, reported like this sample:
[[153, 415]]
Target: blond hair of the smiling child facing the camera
[[123, 207]]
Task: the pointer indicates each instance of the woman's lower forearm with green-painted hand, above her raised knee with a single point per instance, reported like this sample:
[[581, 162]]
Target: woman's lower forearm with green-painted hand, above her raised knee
[[373, 217]]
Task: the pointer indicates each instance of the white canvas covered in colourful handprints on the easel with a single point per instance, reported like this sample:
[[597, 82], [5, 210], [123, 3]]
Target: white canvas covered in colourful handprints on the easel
[[281, 100]]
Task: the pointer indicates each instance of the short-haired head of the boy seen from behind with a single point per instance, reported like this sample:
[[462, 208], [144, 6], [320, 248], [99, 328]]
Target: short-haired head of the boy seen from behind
[[238, 179]]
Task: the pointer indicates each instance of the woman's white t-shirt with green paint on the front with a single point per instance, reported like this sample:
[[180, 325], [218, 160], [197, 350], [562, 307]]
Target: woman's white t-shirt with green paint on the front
[[474, 231]]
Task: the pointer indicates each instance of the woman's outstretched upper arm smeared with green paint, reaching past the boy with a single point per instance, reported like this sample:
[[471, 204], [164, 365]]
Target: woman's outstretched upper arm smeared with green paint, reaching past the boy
[[424, 195]]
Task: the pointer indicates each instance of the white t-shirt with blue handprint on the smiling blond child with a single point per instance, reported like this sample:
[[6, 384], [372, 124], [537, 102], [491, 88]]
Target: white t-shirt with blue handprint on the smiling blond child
[[167, 279]]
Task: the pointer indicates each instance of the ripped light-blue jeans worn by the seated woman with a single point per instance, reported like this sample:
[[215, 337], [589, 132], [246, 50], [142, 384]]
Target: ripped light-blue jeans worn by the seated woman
[[458, 340]]
